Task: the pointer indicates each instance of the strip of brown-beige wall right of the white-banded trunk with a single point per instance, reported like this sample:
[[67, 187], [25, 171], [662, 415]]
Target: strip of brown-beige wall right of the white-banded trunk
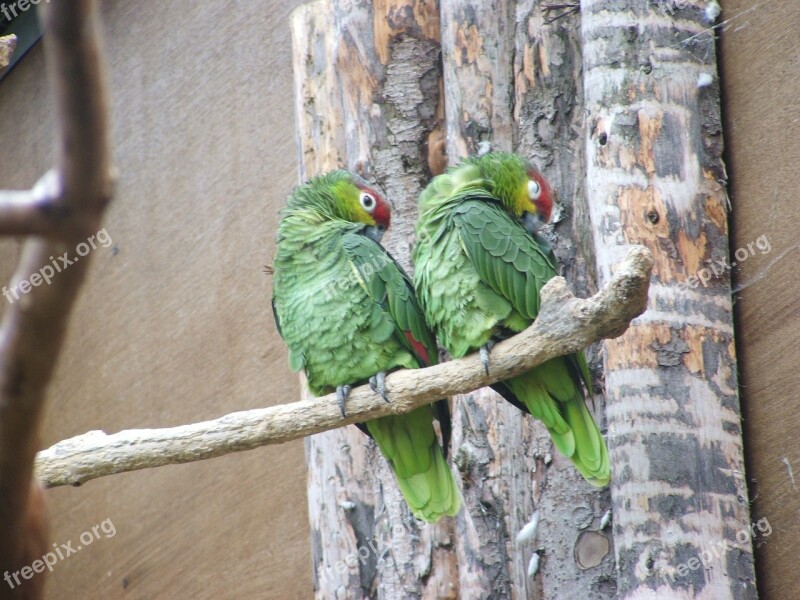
[[761, 61]]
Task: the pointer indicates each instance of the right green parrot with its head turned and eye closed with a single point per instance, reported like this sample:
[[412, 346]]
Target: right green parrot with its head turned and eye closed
[[480, 265]]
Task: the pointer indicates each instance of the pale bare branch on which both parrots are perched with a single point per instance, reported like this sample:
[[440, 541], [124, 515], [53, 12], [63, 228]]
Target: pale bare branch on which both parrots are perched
[[565, 324]]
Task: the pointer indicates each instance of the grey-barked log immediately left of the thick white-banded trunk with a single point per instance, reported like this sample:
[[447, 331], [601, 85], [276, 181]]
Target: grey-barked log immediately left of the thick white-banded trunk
[[577, 552]]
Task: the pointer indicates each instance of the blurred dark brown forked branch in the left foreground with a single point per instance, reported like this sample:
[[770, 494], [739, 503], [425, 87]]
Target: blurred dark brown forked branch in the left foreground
[[33, 328]]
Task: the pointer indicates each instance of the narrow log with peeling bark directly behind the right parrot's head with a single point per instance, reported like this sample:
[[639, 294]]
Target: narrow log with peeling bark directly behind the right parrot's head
[[491, 440]]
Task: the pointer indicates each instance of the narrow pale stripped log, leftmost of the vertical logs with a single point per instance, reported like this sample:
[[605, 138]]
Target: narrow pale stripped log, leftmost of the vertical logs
[[341, 503]]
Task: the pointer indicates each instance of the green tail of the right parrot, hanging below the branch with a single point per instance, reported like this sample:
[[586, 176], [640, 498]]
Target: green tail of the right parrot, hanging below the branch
[[552, 393]]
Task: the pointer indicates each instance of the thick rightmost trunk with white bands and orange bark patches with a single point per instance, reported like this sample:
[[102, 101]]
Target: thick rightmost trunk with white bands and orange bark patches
[[655, 177]]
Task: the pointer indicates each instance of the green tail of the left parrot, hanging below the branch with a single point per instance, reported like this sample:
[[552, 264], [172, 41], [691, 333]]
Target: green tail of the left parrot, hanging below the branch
[[410, 445]]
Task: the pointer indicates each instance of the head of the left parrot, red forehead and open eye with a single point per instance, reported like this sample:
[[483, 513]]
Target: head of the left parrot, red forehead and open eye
[[344, 196]]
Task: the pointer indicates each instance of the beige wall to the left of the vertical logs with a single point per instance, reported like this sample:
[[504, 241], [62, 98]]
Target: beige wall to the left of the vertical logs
[[174, 325]]
